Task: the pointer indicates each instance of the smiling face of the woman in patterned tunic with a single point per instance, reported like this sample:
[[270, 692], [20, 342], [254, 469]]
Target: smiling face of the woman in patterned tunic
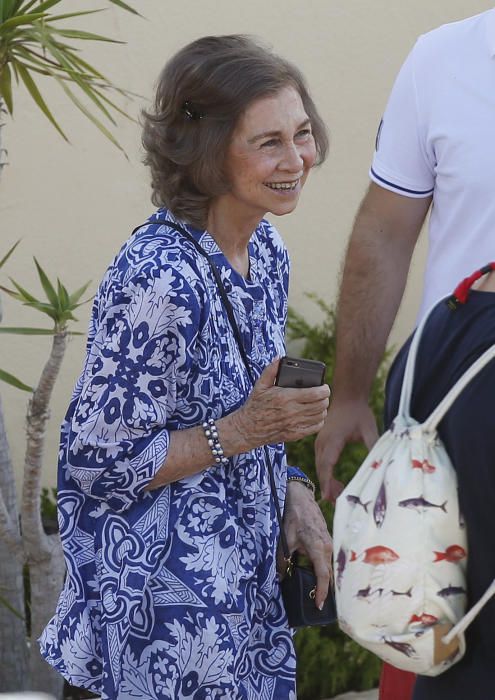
[[270, 155]]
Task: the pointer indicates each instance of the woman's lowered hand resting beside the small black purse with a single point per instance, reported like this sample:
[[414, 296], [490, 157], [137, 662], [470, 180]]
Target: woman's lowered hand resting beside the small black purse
[[306, 531]]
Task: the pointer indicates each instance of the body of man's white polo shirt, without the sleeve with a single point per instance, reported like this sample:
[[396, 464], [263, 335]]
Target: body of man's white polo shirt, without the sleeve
[[457, 104]]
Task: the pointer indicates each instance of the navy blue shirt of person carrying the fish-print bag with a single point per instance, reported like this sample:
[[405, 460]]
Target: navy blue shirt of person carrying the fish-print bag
[[451, 342]]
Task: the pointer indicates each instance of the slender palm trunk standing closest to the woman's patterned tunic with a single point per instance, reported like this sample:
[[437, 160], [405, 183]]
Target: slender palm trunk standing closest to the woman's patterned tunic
[[44, 553]]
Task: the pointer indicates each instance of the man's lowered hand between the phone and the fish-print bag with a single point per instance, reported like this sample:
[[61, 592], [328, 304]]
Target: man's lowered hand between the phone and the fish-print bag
[[351, 421]]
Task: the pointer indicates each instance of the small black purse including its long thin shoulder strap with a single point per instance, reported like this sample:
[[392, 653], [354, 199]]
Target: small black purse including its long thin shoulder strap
[[299, 583]]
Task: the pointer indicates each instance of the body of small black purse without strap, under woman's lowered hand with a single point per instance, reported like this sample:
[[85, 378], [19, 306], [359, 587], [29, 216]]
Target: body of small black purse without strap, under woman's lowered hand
[[298, 593]]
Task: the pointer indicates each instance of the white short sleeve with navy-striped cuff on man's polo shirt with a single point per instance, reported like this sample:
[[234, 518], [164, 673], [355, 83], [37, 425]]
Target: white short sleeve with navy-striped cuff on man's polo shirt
[[402, 162]]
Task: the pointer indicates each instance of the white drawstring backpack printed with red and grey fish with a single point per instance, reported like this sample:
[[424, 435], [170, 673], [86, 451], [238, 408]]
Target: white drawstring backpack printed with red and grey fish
[[399, 539]]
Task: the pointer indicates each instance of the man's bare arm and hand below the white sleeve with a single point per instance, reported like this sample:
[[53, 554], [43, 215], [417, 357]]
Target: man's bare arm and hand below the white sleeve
[[377, 262]]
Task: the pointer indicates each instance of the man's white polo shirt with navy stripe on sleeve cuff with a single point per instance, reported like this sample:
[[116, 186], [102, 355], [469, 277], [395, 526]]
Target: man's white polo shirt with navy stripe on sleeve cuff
[[438, 137]]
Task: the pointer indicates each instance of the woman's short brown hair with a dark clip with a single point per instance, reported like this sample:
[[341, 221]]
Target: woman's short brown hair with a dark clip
[[201, 94]]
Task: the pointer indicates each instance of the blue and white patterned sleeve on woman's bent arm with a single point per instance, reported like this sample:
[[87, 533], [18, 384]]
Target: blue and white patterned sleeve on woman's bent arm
[[143, 348]]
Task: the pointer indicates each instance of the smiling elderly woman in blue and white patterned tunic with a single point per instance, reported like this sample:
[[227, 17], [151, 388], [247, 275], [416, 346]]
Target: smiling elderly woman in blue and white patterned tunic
[[167, 518]]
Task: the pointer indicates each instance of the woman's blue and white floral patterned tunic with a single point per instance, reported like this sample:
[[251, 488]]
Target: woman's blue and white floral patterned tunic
[[173, 593]]
